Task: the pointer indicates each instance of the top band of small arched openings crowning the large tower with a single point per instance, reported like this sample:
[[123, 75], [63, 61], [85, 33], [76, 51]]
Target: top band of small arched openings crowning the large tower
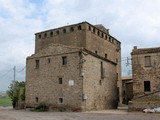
[[97, 30]]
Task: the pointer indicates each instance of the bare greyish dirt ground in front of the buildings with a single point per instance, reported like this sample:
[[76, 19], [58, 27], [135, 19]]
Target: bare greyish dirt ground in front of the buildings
[[10, 114]]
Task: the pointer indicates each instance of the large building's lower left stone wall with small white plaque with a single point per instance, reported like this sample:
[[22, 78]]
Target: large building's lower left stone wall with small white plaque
[[42, 84]]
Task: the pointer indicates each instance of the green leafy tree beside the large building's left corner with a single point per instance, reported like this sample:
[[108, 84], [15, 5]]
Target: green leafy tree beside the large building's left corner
[[14, 92]]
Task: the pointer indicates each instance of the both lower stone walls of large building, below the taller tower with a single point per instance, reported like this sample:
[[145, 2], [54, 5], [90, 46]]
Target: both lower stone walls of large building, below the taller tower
[[95, 80]]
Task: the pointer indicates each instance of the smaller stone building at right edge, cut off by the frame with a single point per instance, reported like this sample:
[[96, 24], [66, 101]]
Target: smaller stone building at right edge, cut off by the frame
[[146, 78]]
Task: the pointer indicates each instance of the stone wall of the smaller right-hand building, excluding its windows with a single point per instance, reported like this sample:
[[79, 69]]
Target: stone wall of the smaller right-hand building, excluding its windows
[[143, 73]]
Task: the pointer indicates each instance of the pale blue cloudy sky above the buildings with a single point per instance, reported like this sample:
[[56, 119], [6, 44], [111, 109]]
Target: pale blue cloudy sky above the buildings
[[132, 22]]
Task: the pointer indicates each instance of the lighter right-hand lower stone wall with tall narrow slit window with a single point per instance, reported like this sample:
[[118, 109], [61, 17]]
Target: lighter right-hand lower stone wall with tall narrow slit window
[[100, 84]]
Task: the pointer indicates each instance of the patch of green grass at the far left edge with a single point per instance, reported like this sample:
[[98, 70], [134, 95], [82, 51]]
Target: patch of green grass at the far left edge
[[5, 101]]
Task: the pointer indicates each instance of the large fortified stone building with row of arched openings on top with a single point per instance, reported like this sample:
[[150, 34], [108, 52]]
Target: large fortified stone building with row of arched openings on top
[[74, 67]]
